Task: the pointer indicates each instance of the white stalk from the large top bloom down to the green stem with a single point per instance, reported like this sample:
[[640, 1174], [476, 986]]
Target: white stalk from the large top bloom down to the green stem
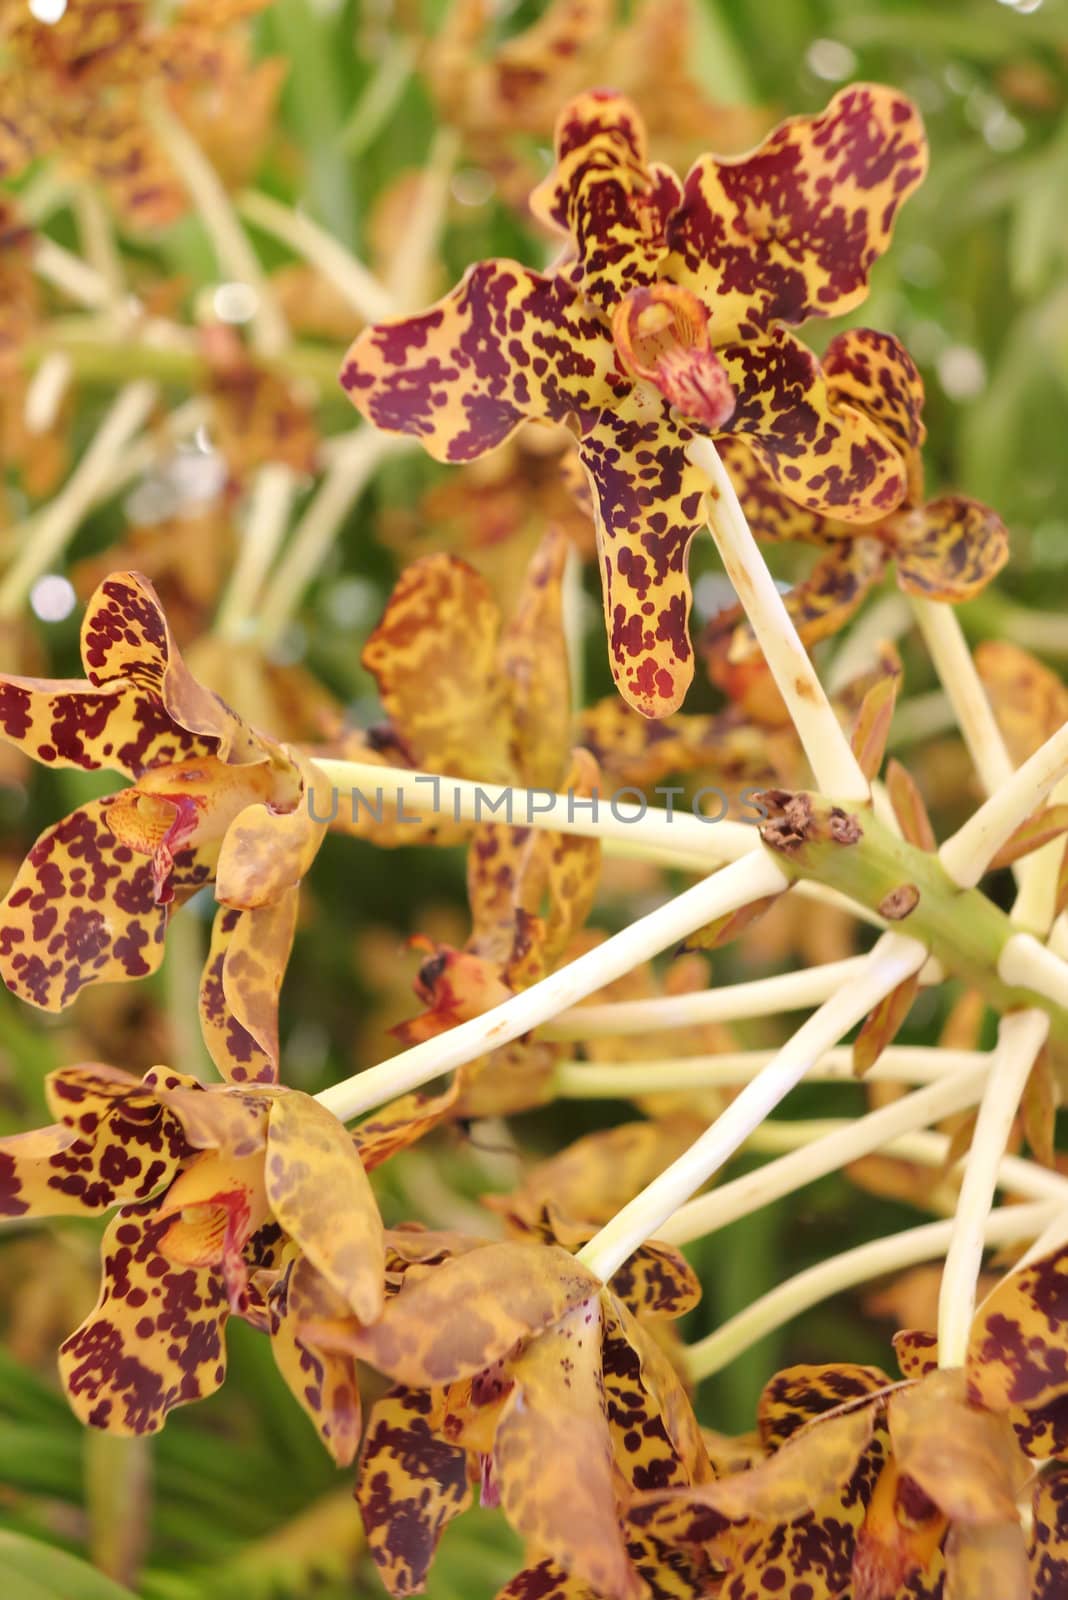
[[824, 743]]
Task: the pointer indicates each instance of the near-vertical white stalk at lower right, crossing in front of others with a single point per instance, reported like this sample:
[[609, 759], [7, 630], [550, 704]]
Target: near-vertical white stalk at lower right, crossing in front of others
[[1021, 1038]]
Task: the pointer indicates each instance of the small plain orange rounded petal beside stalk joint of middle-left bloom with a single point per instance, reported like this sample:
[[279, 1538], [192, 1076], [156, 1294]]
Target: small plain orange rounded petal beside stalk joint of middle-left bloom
[[268, 850]]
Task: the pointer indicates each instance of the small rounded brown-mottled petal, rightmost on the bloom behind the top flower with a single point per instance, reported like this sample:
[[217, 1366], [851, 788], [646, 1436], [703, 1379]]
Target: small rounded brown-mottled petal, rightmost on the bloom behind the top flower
[[949, 550]]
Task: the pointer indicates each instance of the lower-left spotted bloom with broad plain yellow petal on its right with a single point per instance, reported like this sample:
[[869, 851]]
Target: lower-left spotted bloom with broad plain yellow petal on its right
[[247, 1202]]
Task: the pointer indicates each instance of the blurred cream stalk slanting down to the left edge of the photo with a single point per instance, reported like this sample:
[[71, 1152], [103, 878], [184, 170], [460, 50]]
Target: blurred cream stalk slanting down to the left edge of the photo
[[58, 522]]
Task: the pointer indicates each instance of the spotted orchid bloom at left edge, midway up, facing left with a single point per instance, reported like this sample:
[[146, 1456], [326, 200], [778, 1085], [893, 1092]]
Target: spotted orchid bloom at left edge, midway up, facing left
[[210, 801]]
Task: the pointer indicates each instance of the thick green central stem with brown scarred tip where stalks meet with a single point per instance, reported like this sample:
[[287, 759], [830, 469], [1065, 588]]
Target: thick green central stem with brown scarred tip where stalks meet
[[863, 858]]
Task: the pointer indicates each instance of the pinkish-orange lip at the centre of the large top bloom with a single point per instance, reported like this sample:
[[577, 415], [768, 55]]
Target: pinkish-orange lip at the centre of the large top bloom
[[663, 338]]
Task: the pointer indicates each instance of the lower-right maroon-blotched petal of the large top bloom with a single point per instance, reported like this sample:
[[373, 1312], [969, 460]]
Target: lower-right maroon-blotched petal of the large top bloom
[[827, 457]]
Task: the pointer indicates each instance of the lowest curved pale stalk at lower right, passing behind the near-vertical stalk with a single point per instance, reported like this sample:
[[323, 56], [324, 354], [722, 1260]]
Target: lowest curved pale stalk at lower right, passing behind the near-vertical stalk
[[843, 1273]]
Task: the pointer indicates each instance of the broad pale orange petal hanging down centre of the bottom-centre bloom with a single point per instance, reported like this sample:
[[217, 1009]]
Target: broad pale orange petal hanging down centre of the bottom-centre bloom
[[554, 1455]]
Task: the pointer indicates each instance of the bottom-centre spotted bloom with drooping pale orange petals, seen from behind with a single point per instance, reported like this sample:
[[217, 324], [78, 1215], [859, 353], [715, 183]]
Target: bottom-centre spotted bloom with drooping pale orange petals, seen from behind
[[519, 1372]]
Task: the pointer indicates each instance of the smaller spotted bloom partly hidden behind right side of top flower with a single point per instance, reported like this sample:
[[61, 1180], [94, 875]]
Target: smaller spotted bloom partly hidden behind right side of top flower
[[944, 550]]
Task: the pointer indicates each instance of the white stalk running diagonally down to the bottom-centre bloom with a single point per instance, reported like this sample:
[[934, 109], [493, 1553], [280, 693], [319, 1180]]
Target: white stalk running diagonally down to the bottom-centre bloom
[[891, 962]]
